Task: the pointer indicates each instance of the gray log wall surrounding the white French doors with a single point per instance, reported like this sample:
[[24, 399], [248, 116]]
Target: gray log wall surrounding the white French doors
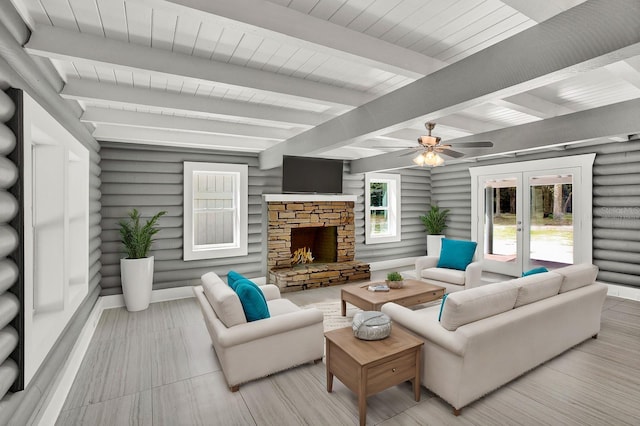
[[616, 204]]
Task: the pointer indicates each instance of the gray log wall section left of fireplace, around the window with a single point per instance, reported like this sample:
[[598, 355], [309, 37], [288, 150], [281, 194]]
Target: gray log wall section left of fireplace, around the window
[[150, 179]]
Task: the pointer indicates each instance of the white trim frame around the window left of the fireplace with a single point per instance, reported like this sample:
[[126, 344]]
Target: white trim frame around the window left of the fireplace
[[221, 250]]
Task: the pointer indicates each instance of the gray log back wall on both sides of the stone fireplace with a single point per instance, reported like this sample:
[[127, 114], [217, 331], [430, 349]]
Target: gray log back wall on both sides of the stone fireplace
[[150, 179]]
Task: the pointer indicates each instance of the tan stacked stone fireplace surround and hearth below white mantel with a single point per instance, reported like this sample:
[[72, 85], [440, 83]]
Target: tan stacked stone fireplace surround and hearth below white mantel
[[286, 215]]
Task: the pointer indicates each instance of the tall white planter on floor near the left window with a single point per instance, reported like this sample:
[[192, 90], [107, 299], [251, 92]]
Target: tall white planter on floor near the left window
[[137, 280]]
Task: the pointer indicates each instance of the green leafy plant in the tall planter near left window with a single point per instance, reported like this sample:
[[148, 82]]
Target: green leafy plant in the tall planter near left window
[[137, 238]]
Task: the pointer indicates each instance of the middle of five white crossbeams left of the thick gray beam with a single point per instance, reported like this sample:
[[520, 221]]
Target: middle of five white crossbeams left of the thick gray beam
[[94, 92]]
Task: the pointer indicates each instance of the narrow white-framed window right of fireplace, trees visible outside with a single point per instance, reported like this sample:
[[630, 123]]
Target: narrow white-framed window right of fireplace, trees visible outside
[[382, 207]]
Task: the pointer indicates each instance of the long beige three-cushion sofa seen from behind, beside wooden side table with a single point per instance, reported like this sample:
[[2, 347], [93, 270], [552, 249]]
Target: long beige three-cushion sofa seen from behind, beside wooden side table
[[490, 335]]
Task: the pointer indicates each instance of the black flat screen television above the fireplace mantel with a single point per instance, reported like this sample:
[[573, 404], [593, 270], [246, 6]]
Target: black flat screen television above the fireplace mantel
[[311, 175]]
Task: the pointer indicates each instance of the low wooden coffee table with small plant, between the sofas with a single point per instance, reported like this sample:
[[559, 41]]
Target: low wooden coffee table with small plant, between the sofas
[[413, 293]]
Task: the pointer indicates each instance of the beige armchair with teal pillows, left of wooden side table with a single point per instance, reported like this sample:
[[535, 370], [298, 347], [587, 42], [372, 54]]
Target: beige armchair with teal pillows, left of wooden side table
[[250, 350]]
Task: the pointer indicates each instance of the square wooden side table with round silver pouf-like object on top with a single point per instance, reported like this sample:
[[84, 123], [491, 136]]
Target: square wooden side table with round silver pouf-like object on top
[[368, 367]]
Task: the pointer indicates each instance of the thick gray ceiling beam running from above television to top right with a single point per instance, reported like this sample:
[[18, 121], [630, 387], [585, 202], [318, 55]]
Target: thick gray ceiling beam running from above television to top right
[[602, 32]]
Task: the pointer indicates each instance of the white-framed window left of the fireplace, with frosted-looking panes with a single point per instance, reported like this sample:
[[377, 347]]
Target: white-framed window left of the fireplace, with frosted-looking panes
[[215, 210]]
